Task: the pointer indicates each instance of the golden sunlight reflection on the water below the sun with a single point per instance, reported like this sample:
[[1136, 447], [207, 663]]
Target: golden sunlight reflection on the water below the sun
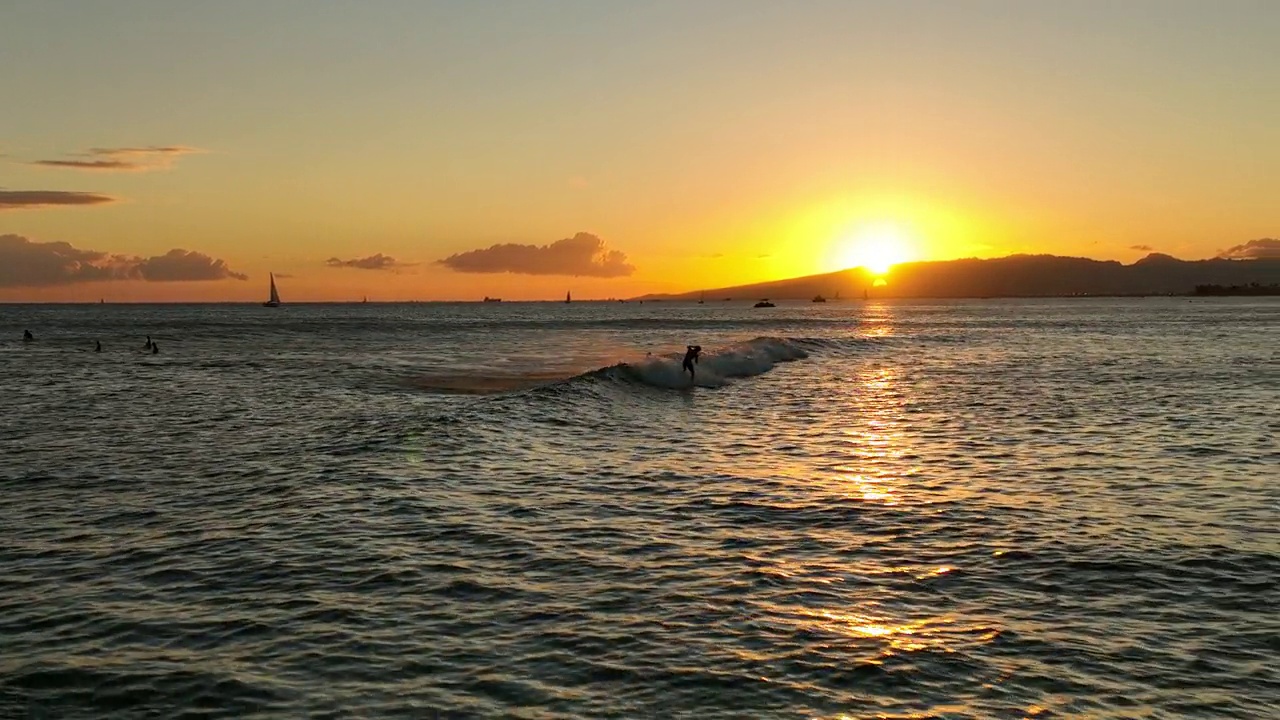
[[880, 470]]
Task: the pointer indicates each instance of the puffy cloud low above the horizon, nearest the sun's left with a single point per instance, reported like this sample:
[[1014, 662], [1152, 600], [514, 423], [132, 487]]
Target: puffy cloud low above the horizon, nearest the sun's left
[[584, 254]]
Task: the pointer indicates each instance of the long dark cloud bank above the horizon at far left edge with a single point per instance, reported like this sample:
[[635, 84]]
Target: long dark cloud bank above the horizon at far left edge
[[39, 265]]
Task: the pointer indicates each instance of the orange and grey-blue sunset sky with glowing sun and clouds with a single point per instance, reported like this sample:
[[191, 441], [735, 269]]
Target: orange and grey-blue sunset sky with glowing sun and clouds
[[422, 151]]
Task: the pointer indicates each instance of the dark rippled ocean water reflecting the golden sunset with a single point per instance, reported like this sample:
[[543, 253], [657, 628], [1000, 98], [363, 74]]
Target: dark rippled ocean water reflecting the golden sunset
[[972, 509]]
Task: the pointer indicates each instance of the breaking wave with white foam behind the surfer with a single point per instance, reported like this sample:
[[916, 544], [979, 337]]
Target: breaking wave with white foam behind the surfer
[[716, 368]]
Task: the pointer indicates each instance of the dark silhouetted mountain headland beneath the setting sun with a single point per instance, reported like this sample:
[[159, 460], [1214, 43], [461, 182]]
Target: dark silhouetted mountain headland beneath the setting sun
[[1022, 276]]
